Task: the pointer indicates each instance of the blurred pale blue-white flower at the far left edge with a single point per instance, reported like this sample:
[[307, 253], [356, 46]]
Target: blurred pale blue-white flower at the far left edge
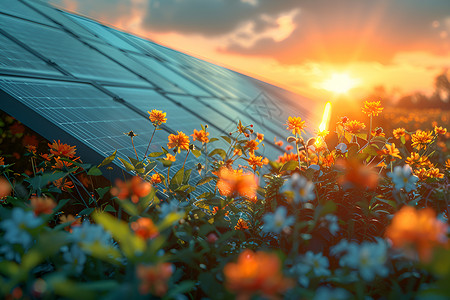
[[16, 228]]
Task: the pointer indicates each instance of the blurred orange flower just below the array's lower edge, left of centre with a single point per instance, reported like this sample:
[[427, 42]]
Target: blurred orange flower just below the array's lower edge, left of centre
[[135, 188]]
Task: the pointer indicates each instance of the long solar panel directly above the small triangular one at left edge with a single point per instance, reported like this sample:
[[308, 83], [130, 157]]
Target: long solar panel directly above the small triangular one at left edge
[[67, 52]]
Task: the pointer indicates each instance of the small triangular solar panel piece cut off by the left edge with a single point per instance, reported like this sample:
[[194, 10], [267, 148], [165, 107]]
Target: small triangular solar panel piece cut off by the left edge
[[14, 57]]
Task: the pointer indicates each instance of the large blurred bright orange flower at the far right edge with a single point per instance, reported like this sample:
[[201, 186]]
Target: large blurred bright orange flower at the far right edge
[[418, 229]]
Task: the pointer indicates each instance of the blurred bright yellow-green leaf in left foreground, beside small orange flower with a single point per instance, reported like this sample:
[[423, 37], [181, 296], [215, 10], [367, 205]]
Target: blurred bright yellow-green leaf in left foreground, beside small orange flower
[[128, 241]]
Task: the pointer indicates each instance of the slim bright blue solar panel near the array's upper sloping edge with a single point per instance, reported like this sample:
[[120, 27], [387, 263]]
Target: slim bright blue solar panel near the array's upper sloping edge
[[104, 33]]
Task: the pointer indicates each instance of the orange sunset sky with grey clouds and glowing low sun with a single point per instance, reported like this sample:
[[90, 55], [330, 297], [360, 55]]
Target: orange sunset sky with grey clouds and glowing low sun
[[317, 48]]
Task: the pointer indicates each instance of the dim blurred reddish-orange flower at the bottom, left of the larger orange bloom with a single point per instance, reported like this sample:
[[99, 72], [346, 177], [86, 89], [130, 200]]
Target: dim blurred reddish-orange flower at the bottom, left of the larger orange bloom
[[154, 278]]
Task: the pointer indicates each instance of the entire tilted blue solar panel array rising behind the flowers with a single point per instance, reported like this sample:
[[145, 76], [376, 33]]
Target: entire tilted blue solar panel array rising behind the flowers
[[92, 83]]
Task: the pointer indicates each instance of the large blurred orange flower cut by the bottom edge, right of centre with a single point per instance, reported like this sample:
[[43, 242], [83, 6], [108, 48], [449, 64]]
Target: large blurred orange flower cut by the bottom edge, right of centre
[[254, 273]]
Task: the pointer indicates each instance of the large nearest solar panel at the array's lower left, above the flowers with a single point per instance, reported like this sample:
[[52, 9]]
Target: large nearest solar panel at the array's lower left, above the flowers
[[90, 116]]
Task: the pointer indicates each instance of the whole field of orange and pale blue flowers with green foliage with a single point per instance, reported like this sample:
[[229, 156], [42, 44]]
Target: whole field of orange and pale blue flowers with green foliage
[[360, 211]]
